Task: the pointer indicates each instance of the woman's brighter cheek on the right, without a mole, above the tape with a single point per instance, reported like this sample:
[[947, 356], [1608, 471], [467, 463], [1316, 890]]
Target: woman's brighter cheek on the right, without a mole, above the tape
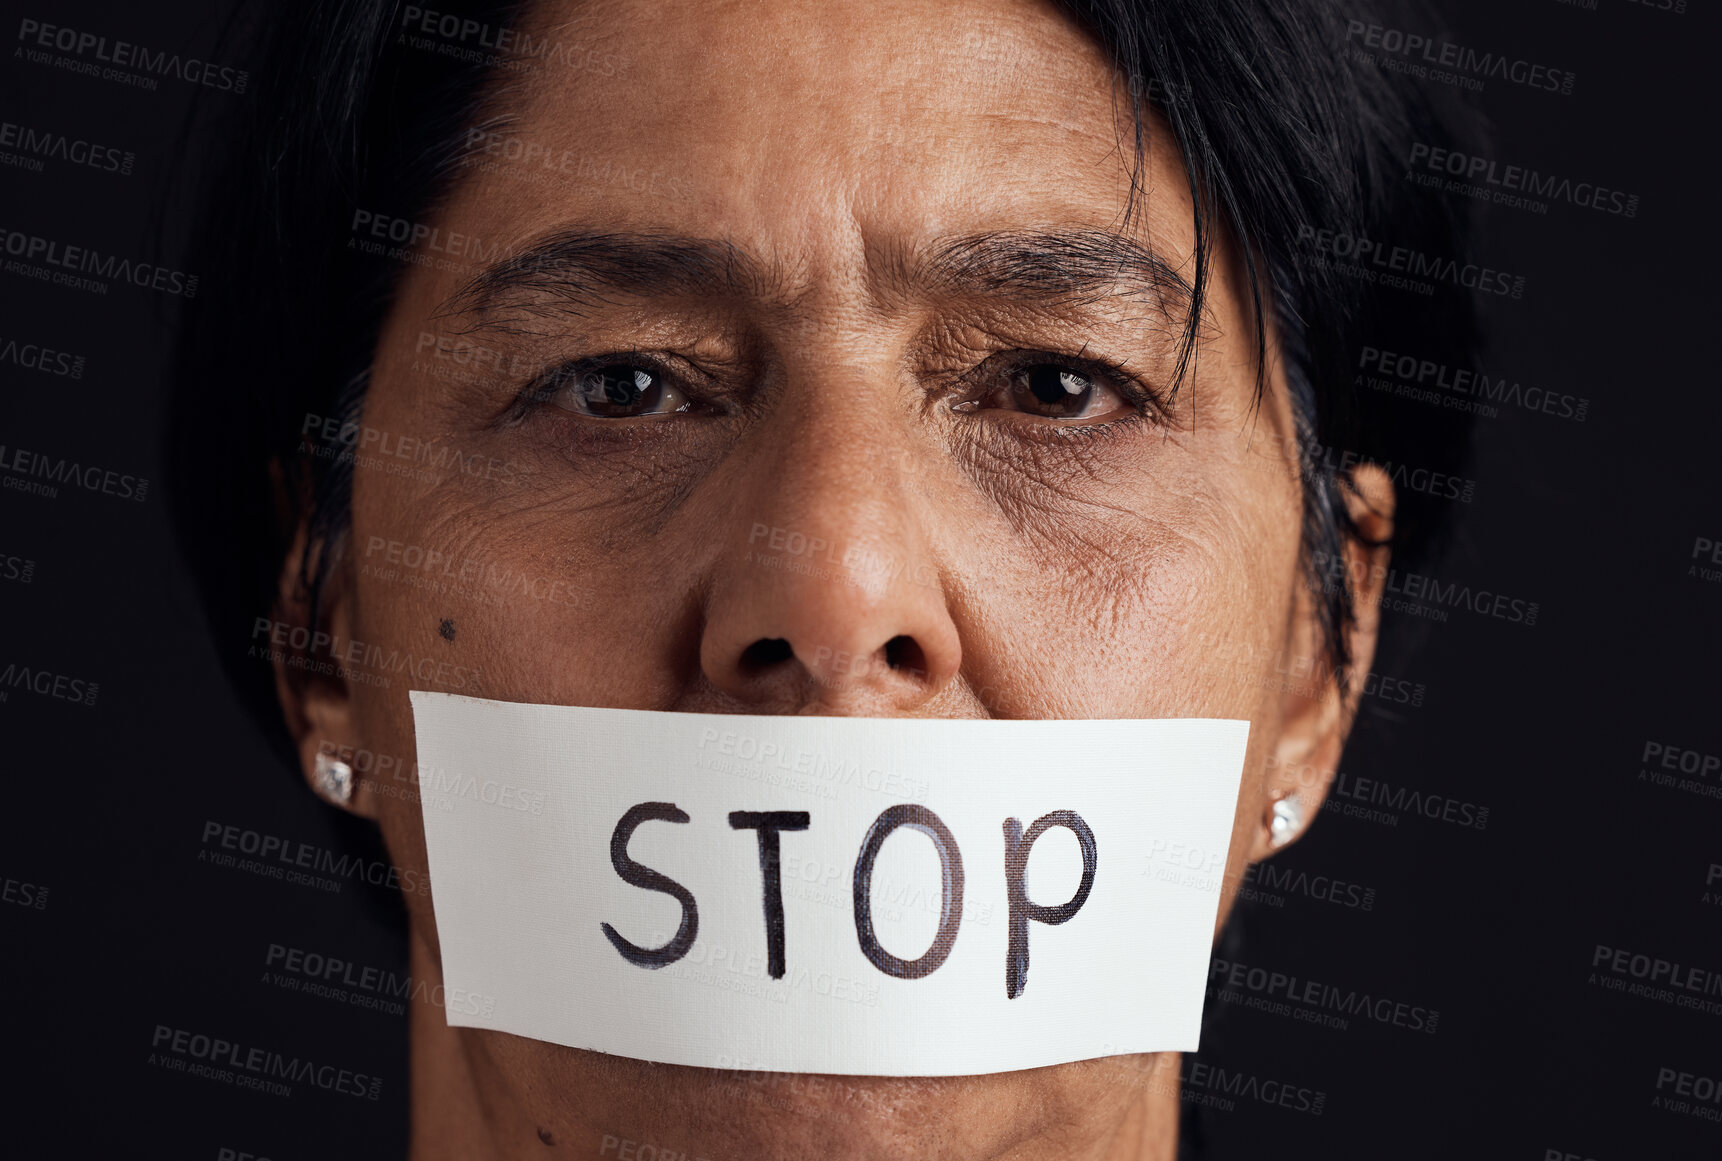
[[1172, 604]]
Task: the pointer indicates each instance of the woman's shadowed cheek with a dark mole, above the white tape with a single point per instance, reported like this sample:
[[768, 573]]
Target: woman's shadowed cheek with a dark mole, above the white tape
[[514, 595]]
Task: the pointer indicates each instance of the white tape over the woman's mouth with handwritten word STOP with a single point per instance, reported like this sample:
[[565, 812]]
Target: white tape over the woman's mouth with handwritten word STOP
[[864, 897]]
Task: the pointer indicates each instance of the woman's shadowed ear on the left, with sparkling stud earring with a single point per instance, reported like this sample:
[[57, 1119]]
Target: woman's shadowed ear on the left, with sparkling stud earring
[[313, 681]]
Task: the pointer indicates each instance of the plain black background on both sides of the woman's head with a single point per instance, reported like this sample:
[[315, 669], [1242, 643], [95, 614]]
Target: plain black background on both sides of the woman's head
[[1494, 928]]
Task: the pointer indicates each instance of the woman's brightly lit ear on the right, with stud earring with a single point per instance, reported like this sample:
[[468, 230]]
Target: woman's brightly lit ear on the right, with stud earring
[[1320, 704]]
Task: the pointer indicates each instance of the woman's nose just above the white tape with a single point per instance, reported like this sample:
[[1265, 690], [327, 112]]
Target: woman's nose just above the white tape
[[829, 597]]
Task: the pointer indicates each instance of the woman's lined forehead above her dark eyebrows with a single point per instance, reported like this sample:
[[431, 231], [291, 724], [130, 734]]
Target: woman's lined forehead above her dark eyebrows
[[805, 127]]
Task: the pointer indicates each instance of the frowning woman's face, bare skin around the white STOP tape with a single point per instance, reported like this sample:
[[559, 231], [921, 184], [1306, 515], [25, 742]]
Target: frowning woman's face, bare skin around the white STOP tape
[[829, 378]]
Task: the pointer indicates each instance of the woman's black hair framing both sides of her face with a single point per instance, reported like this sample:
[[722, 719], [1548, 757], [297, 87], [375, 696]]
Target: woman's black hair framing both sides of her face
[[1280, 133]]
